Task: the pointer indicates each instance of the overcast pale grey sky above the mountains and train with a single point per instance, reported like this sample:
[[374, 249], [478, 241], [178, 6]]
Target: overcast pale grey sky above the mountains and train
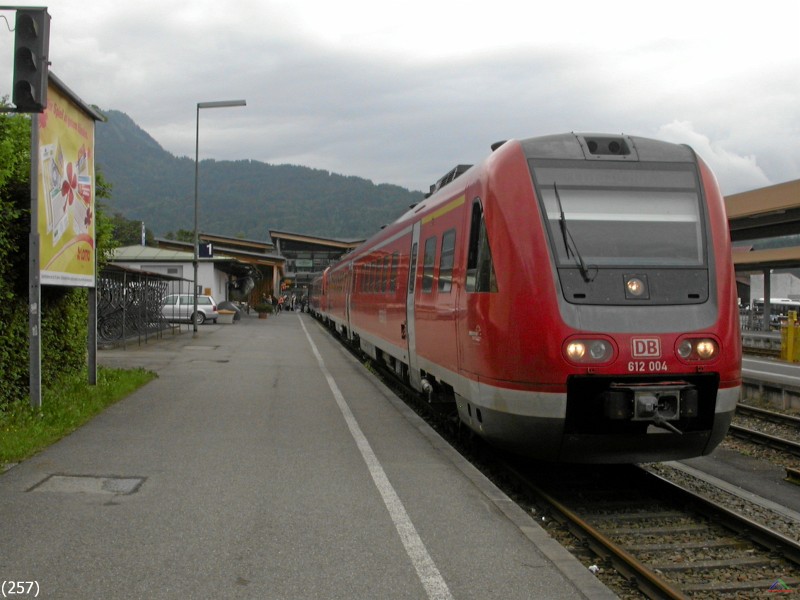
[[400, 92]]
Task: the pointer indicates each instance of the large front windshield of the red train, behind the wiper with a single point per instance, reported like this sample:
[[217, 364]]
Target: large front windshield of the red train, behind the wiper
[[616, 214]]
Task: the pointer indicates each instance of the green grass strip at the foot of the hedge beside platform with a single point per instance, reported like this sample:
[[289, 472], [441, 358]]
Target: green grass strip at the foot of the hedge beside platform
[[65, 407]]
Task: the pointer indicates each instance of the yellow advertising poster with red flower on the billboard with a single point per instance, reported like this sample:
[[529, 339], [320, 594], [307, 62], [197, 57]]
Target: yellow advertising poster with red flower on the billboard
[[66, 189]]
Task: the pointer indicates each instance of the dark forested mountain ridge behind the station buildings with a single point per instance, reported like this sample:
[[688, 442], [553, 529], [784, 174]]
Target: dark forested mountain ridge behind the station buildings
[[243, 198]]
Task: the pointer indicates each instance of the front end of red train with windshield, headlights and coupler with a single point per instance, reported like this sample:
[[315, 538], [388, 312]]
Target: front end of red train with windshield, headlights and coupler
[[644, 303]]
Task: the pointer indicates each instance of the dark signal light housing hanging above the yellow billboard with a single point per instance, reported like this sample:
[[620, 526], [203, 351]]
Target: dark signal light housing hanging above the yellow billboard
[[31, 41]]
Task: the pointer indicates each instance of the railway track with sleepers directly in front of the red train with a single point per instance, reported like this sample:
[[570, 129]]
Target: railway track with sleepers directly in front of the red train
[[664, 538]]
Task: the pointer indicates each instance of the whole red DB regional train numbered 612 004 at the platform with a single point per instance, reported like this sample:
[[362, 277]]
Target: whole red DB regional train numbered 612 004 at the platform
[[572, 295]]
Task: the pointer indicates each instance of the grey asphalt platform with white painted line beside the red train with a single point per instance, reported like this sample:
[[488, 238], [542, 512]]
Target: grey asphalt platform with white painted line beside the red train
[[265, 462]]
